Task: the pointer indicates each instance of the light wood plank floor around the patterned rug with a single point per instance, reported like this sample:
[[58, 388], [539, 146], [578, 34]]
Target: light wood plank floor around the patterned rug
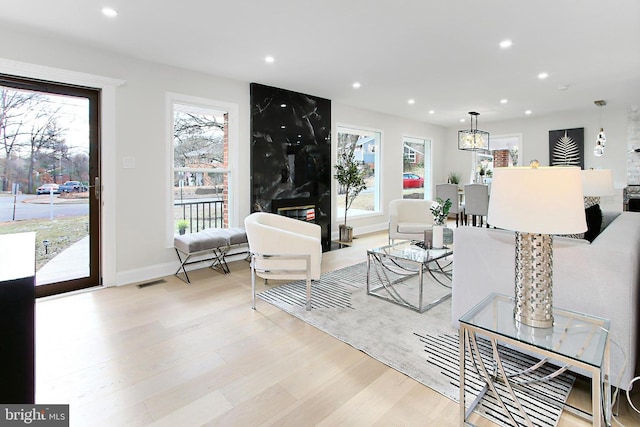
[[173, 354]]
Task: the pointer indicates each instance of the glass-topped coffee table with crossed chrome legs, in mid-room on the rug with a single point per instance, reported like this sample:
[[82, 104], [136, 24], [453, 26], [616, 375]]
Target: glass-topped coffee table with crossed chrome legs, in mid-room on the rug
[[399, 273]]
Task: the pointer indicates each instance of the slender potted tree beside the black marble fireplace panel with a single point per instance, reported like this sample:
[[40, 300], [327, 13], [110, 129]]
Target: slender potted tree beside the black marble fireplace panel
[[350, 177]]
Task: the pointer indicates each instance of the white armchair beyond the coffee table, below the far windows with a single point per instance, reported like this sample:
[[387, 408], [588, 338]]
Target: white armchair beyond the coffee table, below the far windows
[[409, 218]]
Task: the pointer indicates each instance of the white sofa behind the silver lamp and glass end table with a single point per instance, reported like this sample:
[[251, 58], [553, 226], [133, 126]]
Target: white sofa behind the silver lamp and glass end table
[[599, 278]]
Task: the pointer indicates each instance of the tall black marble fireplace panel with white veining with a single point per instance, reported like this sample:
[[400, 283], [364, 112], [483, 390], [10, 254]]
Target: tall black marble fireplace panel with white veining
[[291, 155]]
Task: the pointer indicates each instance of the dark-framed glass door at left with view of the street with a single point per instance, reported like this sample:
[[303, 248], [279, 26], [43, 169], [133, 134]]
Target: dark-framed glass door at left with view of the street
[[49, 178]]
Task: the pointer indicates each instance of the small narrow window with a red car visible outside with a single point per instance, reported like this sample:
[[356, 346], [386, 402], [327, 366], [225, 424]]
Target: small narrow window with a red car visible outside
[[416, 159]]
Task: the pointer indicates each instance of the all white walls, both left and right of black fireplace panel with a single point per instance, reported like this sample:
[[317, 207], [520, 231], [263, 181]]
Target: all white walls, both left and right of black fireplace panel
[[138, 199]]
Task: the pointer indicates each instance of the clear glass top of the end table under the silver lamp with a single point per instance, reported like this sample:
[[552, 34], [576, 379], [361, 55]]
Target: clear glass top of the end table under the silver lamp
[[578, 336]]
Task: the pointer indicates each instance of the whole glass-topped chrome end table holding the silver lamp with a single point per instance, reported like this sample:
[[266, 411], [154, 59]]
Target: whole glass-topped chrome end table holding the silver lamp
[[575, 340]]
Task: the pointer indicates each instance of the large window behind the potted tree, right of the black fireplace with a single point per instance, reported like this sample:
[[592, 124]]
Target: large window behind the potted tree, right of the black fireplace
[[366, 147]]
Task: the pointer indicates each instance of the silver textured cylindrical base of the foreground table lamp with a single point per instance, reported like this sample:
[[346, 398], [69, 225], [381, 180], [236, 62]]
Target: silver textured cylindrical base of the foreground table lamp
[[534, 280]]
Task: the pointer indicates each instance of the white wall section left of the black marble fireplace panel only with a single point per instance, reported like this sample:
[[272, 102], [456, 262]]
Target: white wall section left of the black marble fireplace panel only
[[139, 196]]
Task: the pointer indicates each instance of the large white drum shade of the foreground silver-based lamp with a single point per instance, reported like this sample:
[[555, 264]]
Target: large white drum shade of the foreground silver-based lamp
[[546, 200]]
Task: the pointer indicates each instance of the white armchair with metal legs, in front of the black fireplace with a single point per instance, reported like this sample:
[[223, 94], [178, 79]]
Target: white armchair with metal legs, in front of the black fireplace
[[283, 248]]
